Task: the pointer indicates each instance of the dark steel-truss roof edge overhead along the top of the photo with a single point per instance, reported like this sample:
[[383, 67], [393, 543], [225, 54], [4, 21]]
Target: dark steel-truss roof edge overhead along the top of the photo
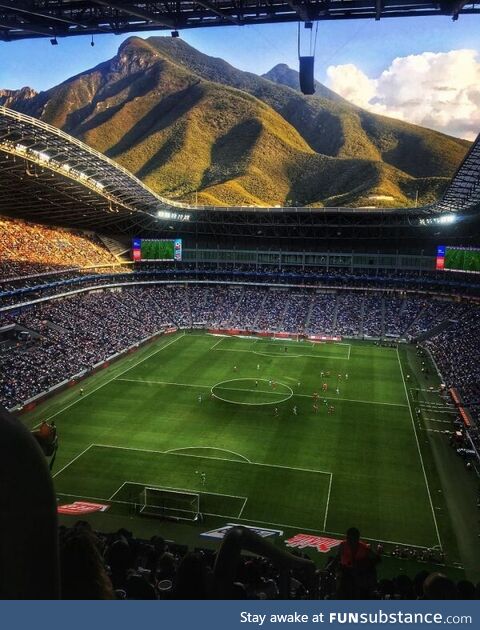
[[20, 19]]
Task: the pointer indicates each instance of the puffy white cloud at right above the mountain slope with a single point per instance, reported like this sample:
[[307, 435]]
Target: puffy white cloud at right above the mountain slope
[[436, 90]]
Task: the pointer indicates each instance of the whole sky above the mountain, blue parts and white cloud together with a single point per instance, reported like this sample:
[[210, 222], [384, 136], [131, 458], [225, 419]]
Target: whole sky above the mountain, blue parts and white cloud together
[[421, 70]]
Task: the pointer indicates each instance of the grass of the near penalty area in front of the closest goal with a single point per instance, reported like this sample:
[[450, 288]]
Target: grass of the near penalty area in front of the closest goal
[[302, 501]]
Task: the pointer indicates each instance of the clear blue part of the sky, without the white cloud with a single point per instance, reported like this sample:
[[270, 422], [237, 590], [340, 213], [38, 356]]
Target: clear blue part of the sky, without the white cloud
[[370, 45]]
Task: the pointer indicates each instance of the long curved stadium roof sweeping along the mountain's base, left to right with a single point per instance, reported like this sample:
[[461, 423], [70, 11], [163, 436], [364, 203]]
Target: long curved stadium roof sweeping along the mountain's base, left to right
[[50, 176]]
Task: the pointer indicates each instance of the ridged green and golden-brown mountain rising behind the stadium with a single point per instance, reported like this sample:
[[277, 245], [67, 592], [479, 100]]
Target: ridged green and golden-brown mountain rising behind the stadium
[[193, 126]]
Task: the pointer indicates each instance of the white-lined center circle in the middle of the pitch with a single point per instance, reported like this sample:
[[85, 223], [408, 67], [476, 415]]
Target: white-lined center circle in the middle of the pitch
[[252, 391]]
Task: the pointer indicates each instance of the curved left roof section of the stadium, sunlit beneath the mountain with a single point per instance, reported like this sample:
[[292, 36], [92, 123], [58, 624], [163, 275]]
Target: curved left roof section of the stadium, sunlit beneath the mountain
[[44, 171]]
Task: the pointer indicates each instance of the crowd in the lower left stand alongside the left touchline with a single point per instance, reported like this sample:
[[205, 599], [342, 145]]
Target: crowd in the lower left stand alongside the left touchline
[[72, 335]]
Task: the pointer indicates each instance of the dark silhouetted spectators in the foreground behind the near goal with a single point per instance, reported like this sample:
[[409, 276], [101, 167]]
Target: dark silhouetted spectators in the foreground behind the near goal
[[120, 566]]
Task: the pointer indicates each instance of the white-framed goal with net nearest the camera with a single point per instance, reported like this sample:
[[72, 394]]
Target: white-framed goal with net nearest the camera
[[174, 504]]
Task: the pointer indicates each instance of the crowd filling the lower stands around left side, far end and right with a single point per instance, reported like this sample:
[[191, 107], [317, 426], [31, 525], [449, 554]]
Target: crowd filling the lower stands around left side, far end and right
[[68, 336]]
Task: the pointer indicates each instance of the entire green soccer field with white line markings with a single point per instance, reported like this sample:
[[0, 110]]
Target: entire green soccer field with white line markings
[[223, 406]]
